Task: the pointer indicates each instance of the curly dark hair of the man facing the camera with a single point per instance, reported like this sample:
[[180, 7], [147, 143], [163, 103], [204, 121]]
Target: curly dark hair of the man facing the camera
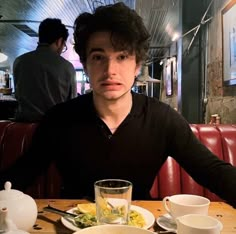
[[126, 26]]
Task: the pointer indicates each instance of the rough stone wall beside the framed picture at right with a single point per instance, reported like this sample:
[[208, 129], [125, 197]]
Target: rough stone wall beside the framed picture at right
[[221, 99]]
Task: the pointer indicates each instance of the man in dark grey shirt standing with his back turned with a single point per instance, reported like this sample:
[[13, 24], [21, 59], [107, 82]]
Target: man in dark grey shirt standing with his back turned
[[43, 77]]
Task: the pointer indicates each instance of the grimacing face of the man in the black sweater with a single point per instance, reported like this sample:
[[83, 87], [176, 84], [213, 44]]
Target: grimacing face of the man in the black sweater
[[111, 73]]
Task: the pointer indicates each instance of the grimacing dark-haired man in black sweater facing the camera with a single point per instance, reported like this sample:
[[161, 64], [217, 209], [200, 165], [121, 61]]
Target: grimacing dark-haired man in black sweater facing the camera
[[112, 132]]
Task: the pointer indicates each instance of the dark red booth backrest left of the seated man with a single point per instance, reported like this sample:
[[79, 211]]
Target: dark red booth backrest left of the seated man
[[15, 137]]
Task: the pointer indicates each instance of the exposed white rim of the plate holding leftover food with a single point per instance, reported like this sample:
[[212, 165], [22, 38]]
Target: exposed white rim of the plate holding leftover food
[[148, 217]]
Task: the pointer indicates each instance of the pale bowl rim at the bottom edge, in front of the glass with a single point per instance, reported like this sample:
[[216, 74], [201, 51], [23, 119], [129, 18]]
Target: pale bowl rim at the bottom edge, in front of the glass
[[113, 229]]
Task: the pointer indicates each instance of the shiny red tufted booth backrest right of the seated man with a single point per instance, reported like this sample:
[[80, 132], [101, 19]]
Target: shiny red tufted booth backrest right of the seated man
[[172, 179]]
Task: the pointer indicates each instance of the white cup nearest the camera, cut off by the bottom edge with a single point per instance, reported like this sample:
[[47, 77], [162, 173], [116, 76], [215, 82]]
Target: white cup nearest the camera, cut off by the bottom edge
[[198, 224]]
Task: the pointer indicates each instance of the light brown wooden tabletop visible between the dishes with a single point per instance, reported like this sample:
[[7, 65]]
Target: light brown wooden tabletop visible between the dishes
[[49, 223]]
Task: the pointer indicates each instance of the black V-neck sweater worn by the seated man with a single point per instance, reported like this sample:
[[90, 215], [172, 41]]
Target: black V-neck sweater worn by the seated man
[[84, 150]]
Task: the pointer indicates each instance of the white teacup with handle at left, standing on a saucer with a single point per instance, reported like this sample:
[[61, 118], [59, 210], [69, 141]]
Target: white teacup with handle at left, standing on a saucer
[[183, 204]]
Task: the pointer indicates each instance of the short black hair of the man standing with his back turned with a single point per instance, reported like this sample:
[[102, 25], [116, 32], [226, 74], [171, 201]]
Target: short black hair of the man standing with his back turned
[[52, 29]]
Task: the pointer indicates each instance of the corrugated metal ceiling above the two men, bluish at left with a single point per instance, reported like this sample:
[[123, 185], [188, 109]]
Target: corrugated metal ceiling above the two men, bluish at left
[[160, 16]]
